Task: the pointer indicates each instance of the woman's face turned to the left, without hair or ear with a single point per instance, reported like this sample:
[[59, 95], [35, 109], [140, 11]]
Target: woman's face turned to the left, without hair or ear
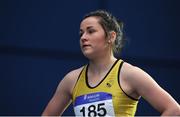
[[93, 41]]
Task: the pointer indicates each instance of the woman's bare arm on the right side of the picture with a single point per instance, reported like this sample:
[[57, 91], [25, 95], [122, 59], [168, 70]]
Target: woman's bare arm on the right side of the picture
[[145, 86]]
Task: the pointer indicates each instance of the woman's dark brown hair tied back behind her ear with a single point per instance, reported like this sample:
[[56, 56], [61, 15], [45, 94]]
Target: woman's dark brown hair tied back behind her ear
[[110, 23]]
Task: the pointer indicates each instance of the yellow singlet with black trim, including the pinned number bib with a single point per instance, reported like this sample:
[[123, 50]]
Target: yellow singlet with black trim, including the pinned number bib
[[105, 99]]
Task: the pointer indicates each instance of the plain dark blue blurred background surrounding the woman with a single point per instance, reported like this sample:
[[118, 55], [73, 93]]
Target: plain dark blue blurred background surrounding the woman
[[39, 44]]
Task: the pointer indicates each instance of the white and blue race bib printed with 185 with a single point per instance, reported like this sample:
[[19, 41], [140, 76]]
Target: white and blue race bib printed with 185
[[94, 105]]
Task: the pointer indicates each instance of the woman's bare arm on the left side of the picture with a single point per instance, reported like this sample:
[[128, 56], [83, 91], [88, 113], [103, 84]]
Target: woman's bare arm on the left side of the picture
[[63, 95]]
